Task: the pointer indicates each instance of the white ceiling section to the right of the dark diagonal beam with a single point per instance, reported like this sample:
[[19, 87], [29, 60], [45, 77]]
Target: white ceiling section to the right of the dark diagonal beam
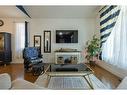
[[61, 11]]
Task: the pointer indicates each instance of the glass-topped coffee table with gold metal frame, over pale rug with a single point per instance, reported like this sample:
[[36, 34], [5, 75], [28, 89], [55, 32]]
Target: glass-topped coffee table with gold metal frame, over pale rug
[[64, 76]]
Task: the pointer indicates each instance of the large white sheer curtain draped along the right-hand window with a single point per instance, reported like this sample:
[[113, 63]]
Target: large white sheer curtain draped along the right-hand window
[[114, 51]]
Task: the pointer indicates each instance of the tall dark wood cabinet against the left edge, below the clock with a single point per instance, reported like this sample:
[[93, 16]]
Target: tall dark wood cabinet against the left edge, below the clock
[[5, 47]]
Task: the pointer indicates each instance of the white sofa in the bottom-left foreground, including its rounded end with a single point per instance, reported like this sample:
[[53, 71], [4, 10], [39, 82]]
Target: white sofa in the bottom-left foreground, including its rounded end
[[6, 83]]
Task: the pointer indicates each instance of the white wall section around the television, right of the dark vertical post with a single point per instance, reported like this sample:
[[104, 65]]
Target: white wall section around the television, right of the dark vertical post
[[86, 28]]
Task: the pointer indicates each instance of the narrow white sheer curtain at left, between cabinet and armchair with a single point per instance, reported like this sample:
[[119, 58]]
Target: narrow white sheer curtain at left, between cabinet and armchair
[[19, 39]]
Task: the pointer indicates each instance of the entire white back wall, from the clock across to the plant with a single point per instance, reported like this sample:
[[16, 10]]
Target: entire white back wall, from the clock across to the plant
[[86, 28]]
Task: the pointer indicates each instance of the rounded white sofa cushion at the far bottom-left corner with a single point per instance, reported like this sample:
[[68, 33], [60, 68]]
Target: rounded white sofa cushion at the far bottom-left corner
[[5, 81]]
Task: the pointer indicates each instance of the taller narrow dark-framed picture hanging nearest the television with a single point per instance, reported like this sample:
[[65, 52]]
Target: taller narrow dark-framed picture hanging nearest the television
[[47, 41]]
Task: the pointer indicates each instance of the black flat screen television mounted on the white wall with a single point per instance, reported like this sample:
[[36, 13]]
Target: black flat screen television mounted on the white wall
[[66, 36]]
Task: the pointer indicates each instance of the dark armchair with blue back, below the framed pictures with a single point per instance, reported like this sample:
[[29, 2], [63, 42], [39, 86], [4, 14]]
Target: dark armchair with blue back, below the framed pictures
[[32, 58]]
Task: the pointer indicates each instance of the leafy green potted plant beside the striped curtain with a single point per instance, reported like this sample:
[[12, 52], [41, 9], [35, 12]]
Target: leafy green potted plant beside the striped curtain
[[92, 50]]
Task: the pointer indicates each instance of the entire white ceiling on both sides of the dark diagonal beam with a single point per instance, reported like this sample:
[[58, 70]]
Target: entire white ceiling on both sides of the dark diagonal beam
[[50, 11]]
